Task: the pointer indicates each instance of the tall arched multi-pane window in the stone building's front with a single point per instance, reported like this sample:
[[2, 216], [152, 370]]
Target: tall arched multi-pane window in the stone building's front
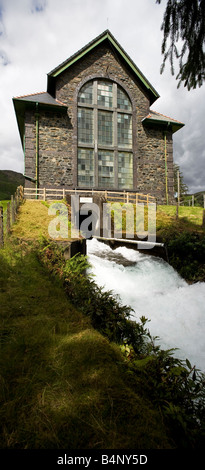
[[105, 158]]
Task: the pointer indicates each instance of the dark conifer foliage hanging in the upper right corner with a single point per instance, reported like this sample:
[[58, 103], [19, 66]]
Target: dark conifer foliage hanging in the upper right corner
[[184, 23]]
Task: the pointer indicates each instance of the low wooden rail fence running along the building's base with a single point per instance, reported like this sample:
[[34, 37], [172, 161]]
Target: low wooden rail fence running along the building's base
[[110, 196]]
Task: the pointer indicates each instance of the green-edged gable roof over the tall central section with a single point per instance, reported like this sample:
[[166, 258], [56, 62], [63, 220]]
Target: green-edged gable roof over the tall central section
[[106, 36]]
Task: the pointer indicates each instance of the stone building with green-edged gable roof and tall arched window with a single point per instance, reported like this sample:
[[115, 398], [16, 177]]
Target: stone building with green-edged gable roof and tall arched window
[[93, 127]]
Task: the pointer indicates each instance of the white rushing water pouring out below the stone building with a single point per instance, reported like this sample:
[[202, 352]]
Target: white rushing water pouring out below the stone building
[[149, 285]]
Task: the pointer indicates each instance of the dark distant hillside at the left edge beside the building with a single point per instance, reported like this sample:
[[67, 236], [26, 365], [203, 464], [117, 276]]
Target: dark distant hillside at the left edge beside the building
[[9, 180]]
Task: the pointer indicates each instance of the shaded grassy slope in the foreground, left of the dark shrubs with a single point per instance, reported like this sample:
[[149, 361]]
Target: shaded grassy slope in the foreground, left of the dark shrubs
[[62, 384]]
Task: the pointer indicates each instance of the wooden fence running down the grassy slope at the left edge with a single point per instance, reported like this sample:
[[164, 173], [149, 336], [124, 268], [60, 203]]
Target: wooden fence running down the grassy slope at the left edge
[[8, 216]]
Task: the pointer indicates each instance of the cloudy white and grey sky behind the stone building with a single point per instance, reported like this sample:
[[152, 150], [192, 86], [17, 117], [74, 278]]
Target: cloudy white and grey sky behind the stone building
[[37, 35]]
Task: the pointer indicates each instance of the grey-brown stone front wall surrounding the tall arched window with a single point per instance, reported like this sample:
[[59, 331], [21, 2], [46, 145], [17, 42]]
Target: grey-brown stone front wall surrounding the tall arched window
[[58, 131]]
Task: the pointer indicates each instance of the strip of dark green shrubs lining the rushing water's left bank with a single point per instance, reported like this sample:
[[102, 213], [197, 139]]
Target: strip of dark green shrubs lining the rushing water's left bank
[[175, 388]]
